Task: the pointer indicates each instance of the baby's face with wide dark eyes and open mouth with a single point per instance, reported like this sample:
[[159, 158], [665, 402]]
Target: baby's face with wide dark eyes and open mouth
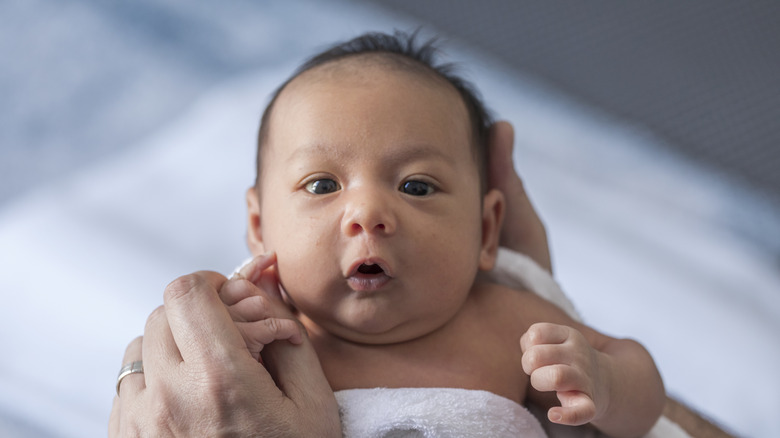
[[370, 197]]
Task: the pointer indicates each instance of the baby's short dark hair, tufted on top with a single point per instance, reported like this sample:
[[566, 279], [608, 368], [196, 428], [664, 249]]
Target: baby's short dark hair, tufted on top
[[400, 50]]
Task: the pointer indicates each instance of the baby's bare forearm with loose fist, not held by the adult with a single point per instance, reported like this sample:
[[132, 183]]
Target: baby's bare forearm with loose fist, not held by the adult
[[611, 383]]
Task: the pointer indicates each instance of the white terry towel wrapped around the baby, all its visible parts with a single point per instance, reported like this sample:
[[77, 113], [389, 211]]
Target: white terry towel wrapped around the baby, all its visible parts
[[449, 412]]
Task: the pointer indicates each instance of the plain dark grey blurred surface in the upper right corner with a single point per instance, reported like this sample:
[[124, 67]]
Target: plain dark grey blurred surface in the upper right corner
[[703, 76]]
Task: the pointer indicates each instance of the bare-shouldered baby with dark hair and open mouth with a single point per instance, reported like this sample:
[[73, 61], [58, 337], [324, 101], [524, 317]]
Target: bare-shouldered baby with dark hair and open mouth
[[371, 214]]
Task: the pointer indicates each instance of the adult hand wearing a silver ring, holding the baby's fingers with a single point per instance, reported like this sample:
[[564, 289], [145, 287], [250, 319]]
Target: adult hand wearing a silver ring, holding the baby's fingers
[[201, 380]]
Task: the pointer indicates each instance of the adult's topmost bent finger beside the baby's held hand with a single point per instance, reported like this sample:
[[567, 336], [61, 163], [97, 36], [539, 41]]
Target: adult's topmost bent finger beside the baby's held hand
[[199, 322]]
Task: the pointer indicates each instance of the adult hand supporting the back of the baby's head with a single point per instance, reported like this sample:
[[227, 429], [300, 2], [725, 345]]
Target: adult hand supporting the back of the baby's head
[[523, 230]]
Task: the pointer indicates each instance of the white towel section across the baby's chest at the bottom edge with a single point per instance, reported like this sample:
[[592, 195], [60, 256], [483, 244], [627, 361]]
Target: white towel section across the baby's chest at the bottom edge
[[433, 412]]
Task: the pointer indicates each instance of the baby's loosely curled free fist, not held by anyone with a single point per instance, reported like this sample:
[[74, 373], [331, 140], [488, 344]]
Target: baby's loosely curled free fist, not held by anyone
[[559, 358]]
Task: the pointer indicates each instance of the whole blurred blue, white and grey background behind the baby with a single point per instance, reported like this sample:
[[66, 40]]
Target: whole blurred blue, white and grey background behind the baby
[[646, 133]]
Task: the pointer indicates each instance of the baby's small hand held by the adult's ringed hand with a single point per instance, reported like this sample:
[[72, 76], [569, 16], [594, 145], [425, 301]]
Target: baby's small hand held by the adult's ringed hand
[[253, 300]]
